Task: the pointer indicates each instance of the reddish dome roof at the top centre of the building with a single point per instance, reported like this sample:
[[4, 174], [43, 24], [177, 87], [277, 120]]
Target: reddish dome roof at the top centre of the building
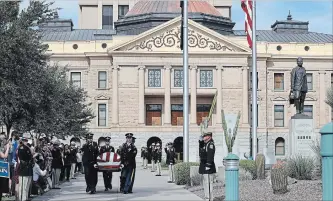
[[145, 7]]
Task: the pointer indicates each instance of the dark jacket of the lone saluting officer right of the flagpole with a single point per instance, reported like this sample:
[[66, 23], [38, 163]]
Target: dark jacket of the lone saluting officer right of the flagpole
[[207, 153]]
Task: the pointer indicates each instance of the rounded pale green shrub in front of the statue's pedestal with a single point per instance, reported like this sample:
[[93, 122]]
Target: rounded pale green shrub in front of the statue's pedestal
[[300, 167]]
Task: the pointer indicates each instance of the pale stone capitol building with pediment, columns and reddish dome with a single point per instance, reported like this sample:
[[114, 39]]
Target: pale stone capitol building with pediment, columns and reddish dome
[[126, 55]]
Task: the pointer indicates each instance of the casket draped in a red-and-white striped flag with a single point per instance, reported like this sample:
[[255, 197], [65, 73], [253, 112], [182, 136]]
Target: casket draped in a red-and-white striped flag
[[109, 161]]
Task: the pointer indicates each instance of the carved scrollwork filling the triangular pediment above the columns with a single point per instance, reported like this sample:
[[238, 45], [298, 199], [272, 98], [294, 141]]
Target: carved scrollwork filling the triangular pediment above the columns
[[172, 38]]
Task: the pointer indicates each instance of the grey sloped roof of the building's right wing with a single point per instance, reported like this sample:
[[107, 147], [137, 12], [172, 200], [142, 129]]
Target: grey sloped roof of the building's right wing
[[272, 36]]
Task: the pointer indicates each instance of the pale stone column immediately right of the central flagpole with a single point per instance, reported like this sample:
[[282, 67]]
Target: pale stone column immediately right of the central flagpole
[[193, 107]]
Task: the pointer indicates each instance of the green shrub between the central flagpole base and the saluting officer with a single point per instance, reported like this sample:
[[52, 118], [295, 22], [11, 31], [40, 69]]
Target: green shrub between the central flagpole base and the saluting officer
[[182, 173]]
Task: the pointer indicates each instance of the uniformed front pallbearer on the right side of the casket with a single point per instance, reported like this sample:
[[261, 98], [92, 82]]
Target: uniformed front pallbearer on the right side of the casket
[[128, 154]]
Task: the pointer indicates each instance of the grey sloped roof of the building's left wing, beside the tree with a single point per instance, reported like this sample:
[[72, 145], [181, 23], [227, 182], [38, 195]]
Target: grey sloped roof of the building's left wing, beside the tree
[[78, 35]]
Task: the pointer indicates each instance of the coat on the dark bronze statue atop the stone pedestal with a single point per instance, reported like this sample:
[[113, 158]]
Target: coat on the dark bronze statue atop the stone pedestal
[[298, 79]]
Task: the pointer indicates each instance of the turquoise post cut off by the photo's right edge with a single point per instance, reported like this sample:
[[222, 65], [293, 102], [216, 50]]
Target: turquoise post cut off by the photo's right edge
[[326, 151]]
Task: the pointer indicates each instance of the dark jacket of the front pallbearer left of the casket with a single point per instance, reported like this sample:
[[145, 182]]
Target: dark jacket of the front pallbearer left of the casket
[[90, 153]]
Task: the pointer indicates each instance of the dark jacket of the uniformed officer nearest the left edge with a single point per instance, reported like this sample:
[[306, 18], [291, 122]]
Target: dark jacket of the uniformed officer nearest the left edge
[[26, 161]]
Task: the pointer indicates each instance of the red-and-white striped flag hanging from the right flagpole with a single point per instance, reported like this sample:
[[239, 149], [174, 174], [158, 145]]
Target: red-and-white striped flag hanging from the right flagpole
[[247, 6]]
